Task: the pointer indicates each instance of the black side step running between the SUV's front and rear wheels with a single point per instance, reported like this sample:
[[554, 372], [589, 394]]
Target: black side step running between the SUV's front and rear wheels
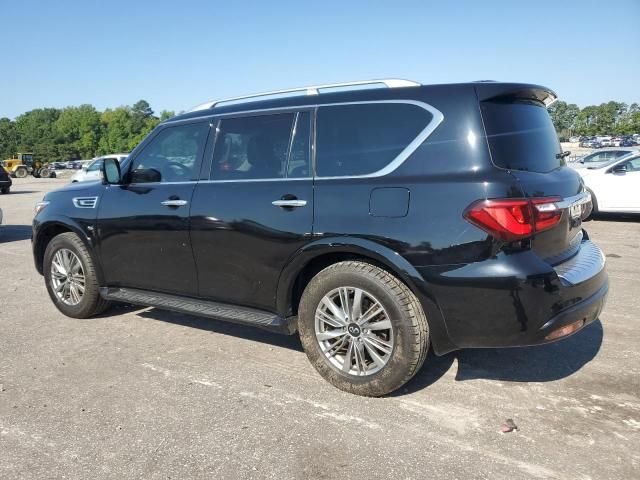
[[204, 308]]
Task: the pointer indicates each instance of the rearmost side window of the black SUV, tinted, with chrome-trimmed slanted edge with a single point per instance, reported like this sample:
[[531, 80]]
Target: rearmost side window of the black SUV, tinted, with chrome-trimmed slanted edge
[[365, 138]]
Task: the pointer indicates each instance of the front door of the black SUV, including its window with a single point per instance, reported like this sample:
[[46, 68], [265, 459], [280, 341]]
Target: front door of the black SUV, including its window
[[143, 223]]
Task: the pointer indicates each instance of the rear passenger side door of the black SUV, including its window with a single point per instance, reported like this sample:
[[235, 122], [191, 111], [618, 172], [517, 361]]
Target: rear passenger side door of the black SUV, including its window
[[256, 210]]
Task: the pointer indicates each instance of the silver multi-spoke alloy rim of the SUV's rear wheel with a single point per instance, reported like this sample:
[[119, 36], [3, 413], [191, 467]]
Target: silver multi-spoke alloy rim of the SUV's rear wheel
[[354, 331]]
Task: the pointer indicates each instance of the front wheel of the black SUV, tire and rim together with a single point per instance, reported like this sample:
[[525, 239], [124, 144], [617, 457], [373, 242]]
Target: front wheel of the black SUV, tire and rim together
[[70, 277]]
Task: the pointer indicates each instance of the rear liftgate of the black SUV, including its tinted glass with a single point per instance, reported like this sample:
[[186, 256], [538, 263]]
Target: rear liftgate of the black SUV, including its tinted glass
[[522, 140]]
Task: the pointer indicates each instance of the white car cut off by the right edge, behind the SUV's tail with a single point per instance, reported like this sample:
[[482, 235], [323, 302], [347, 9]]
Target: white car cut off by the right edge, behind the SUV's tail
[[615, 187]]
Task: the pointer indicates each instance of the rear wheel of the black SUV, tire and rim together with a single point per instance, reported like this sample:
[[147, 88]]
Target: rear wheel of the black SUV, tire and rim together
[[408, 336]]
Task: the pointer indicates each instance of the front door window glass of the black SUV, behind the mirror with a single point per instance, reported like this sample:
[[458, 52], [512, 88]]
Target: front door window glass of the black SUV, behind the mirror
[[172, 156]]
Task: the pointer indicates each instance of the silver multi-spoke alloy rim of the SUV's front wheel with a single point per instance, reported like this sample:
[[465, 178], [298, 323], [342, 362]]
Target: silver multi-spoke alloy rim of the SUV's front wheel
[[67, 277]]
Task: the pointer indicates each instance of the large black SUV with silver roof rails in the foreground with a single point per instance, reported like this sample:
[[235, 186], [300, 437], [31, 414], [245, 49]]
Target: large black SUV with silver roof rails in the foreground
[[373, 221]]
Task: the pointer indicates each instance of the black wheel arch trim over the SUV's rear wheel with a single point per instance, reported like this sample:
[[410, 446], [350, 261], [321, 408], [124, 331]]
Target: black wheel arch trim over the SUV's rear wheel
[[312, 258]]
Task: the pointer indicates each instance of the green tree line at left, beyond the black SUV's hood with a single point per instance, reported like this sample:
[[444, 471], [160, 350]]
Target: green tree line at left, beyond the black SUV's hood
[[83, 132]]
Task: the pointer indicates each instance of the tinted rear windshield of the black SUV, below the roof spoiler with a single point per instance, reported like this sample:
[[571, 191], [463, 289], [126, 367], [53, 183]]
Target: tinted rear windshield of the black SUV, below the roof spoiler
[[521, 136]]
